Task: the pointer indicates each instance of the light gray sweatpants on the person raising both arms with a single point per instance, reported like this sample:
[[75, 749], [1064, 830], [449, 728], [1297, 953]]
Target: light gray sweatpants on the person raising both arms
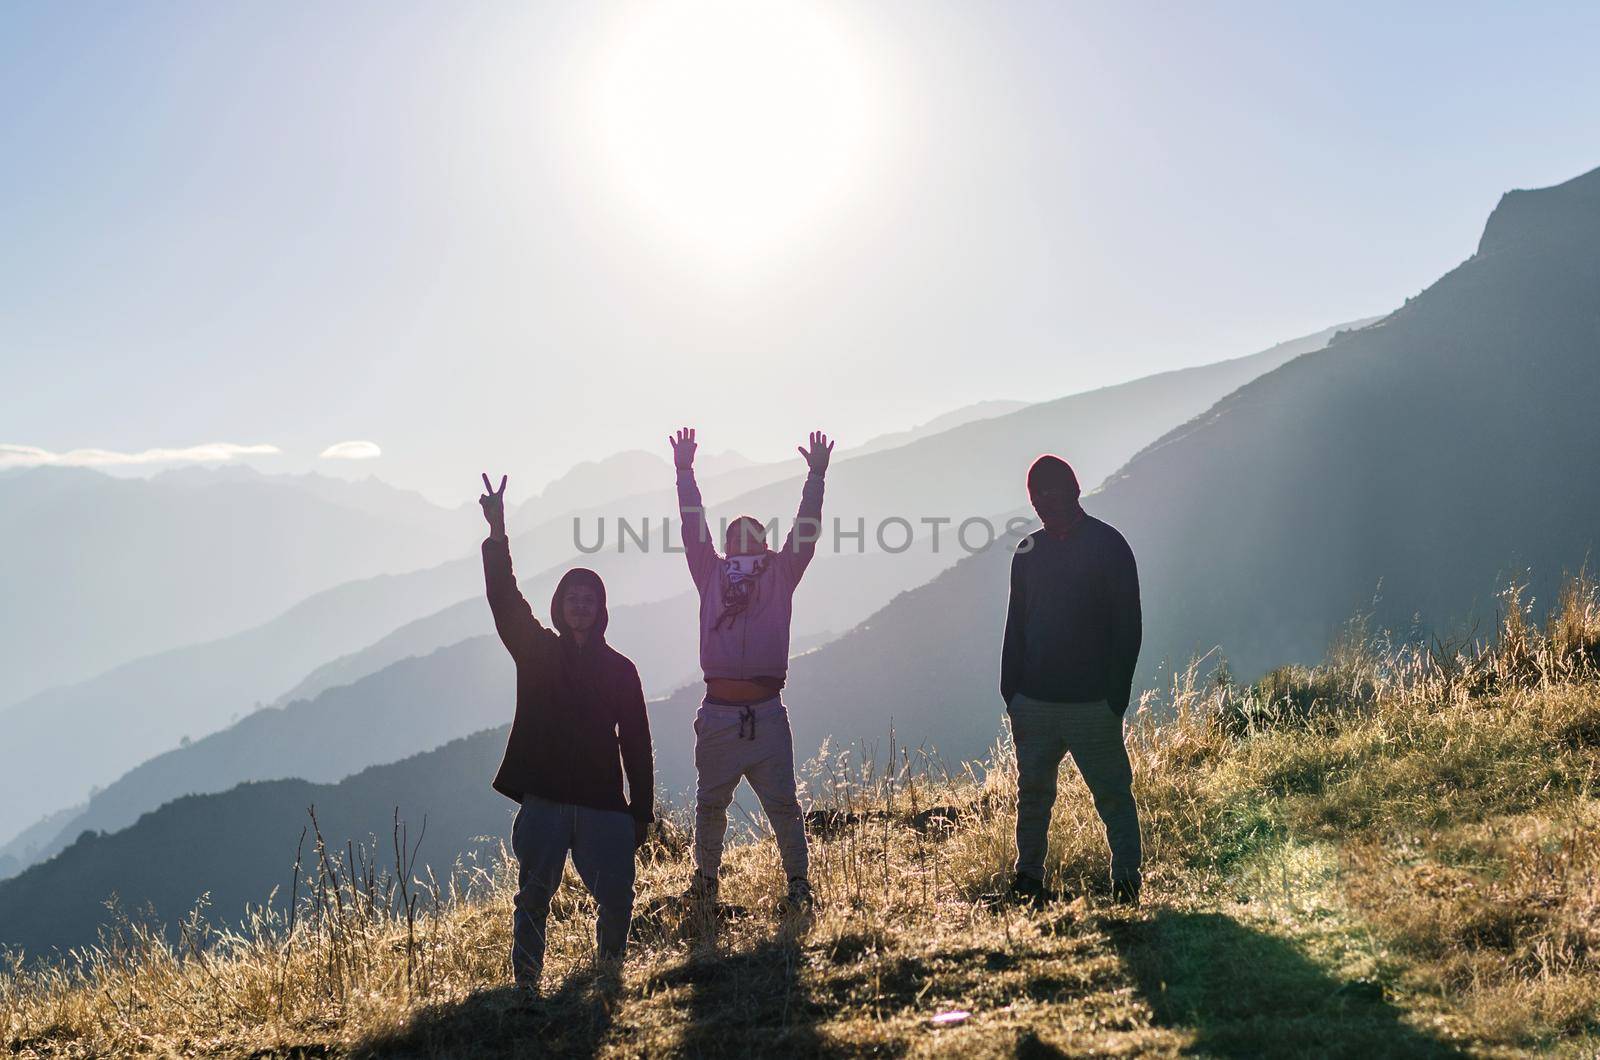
[[751, 744]]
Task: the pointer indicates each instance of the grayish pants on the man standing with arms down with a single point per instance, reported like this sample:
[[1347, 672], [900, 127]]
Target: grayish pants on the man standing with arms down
[[1092, 734]]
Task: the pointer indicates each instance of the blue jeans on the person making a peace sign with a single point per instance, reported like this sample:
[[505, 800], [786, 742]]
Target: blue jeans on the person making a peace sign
[[602, 848]]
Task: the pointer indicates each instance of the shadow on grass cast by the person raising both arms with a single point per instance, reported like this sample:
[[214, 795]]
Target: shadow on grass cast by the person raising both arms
[[751, 1003]]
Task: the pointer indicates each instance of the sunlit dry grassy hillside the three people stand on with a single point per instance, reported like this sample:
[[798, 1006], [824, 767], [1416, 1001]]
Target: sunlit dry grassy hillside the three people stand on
[[1390, 856]]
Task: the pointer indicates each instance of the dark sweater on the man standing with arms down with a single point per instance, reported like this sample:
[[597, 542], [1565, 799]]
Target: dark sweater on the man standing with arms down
[[1073, 627]]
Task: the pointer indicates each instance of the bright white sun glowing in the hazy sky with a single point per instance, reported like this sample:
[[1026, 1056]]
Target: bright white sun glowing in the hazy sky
[[734, 124]]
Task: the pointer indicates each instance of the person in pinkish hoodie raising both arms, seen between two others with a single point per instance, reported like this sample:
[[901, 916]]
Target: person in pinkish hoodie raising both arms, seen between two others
[[742, 729]]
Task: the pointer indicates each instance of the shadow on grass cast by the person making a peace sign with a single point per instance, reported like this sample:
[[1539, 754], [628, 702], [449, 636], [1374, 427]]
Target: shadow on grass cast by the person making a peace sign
[[503, 1024]]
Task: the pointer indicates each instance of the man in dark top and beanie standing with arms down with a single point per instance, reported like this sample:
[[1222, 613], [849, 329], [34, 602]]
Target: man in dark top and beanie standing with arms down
[[1073, 636]]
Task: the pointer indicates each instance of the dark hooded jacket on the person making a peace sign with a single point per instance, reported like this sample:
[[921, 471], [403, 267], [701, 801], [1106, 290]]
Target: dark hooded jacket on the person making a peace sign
[[580, 710]]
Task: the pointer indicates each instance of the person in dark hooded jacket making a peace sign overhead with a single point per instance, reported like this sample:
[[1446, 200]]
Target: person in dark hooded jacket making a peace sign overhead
[[580, 728]]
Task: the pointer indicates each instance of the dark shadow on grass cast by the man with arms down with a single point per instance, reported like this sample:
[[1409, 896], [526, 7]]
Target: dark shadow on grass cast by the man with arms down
[[1246, 994]]
